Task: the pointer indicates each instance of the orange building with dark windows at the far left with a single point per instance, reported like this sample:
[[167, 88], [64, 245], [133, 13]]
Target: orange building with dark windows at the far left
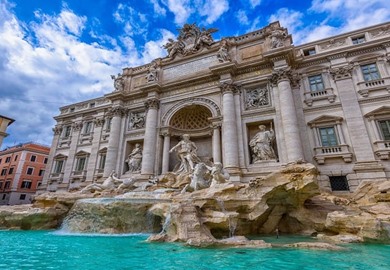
[[21, 171]]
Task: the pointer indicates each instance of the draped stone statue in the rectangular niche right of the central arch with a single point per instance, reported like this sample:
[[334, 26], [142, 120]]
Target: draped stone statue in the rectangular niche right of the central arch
[[261, 145]]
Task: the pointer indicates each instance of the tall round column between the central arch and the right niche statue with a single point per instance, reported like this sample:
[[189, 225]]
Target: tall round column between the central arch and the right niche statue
[[229, 127]]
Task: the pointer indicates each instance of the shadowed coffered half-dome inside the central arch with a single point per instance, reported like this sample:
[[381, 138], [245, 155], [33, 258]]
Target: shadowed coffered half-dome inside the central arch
[[190, 118]]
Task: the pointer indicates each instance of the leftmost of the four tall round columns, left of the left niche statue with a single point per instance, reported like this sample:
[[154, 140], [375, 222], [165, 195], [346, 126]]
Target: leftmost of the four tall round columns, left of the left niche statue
[[113, 141]]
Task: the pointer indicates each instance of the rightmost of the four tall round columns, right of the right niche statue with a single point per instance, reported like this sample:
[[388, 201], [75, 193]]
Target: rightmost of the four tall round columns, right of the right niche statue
[[288, 114]]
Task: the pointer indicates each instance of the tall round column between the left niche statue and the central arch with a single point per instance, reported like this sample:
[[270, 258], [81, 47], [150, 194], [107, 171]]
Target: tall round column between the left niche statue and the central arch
[[149, 152]]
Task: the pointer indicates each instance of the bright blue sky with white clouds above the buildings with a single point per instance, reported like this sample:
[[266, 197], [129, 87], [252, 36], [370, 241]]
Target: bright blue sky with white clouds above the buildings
[[54, 53]]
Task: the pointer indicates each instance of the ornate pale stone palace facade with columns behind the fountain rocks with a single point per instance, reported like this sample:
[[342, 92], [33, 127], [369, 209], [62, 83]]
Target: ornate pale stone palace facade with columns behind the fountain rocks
[[253, 102]]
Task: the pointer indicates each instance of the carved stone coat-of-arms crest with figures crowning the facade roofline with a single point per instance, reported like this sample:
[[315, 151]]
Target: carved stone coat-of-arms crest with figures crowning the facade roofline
[[191, 39]]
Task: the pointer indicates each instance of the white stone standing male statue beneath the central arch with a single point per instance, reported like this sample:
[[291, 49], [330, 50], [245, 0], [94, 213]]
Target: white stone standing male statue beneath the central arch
[[186, 150]]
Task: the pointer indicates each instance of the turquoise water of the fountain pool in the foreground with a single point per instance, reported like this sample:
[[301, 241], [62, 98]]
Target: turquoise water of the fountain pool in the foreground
[[52, 250]]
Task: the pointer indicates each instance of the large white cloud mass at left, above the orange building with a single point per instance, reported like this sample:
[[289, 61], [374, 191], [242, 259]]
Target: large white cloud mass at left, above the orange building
[[45, 65]]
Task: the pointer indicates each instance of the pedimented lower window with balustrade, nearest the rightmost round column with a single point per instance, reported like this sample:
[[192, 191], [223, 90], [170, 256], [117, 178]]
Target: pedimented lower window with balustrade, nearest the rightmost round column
[[329, 139]]
